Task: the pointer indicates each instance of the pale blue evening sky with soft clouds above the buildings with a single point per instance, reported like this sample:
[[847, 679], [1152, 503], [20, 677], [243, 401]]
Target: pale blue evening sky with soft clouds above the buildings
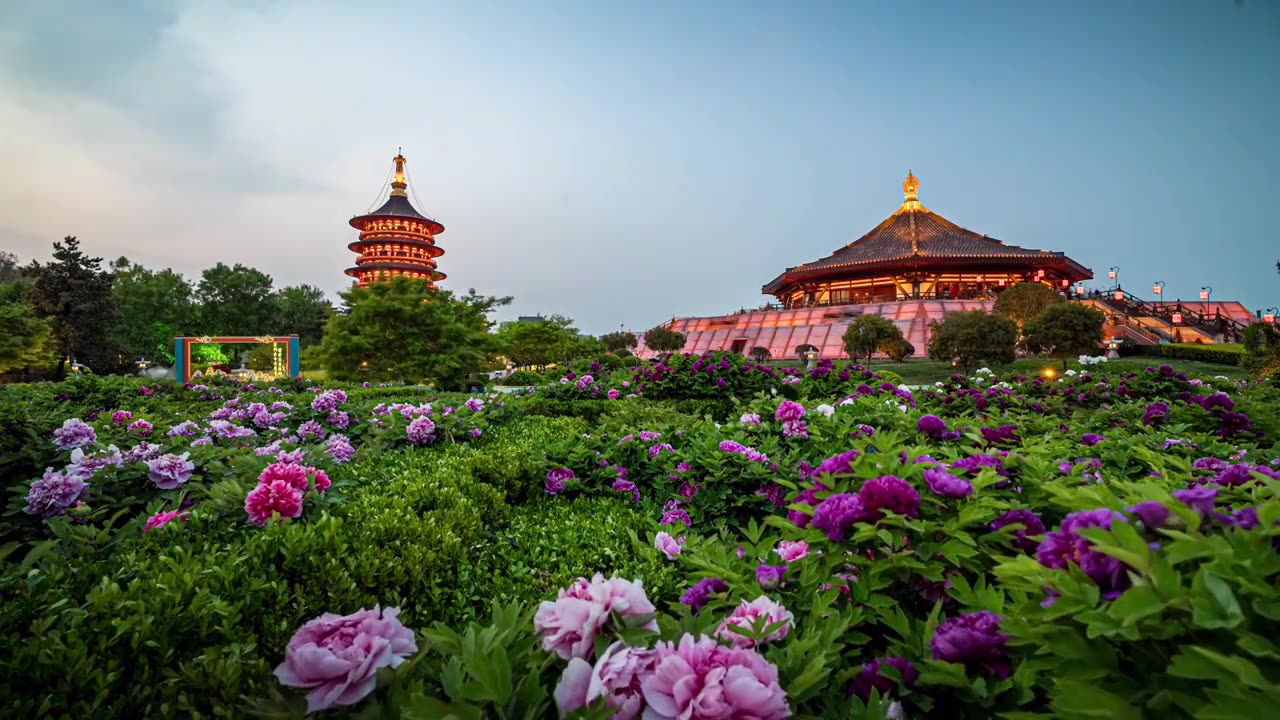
[[623, 163]]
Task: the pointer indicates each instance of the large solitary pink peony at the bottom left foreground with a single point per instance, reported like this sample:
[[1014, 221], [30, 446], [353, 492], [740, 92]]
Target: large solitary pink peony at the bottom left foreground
[[339, 657]]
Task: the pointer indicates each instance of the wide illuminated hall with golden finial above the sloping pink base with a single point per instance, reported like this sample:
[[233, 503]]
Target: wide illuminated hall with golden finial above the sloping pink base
[[917, 254]]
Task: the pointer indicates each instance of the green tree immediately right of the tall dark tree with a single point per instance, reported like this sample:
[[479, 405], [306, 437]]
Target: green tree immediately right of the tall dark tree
[[154, 308]]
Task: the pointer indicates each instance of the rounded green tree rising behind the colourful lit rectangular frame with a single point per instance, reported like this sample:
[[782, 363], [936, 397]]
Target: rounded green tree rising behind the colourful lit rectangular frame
[[236, 302]]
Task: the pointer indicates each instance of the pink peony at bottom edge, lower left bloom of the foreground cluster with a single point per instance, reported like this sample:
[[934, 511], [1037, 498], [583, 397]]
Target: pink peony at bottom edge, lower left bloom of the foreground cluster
[[616, 677]]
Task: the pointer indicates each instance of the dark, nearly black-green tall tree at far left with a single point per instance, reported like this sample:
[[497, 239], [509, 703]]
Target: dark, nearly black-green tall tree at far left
[[75, 293]]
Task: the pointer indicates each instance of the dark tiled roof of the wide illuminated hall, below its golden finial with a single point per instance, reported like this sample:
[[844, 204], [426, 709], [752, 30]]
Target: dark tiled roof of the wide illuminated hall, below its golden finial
[[920, 235]]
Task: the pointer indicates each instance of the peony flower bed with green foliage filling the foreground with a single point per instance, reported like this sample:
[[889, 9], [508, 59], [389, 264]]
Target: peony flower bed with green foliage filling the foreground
[[828, 545]]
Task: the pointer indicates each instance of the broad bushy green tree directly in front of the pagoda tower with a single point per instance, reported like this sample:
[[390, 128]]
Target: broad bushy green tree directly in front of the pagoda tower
[[403, 331]]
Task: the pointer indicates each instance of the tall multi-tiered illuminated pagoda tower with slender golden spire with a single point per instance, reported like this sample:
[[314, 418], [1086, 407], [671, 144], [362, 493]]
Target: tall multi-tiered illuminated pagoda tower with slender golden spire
[[396, 240]]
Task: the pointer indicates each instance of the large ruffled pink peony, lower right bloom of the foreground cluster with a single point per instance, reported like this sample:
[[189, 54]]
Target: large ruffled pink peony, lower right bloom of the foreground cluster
[[700, 680]]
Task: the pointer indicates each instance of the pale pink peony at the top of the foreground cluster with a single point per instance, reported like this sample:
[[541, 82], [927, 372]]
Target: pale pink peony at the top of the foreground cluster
[[569, 626]]
